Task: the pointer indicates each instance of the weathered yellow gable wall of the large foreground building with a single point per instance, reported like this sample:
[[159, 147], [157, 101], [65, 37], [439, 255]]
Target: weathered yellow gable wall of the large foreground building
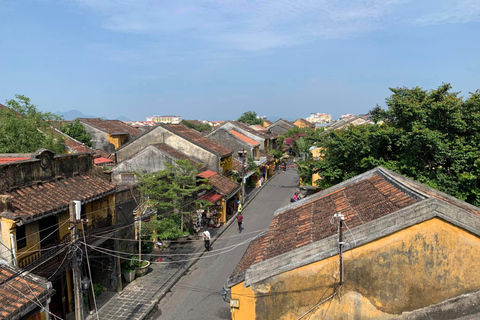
[[411, 269]]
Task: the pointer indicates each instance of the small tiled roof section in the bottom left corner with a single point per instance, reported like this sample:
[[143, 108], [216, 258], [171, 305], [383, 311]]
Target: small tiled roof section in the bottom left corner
[[19, 292]]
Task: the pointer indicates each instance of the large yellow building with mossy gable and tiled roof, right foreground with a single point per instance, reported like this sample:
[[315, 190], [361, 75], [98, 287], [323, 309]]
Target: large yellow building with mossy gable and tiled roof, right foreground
[[407, 252]]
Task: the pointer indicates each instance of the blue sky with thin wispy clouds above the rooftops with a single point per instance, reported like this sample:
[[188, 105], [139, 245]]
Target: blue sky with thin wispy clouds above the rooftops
[[216, 59]]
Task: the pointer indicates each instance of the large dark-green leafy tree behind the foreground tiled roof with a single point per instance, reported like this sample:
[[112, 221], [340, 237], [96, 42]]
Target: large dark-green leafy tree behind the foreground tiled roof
[[431, 136]]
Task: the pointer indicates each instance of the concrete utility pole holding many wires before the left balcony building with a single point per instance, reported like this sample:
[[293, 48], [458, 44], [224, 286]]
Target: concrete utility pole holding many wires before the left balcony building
[[77, 287]]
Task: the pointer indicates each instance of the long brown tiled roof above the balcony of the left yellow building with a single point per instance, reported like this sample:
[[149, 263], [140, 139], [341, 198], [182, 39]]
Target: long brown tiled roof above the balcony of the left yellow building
[[55, 196]]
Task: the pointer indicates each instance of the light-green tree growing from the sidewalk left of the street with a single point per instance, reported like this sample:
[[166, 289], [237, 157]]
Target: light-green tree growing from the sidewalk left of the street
[[174, 190]]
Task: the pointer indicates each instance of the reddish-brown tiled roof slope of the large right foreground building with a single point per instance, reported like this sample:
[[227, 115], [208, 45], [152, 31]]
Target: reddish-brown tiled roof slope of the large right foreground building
[[360, 202]]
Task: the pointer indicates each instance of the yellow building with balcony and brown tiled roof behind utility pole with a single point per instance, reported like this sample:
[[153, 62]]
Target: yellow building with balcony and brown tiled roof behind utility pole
[[35, 195]]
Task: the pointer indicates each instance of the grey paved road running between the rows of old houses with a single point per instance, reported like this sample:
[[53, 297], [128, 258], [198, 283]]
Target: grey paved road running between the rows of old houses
[[197, 295]]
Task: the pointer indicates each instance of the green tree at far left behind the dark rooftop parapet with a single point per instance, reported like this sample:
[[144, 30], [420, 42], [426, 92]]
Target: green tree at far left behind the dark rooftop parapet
[[25, 129]]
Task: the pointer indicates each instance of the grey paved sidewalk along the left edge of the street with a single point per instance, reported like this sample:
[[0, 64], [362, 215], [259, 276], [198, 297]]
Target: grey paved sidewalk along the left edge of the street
[[139, 298]]
